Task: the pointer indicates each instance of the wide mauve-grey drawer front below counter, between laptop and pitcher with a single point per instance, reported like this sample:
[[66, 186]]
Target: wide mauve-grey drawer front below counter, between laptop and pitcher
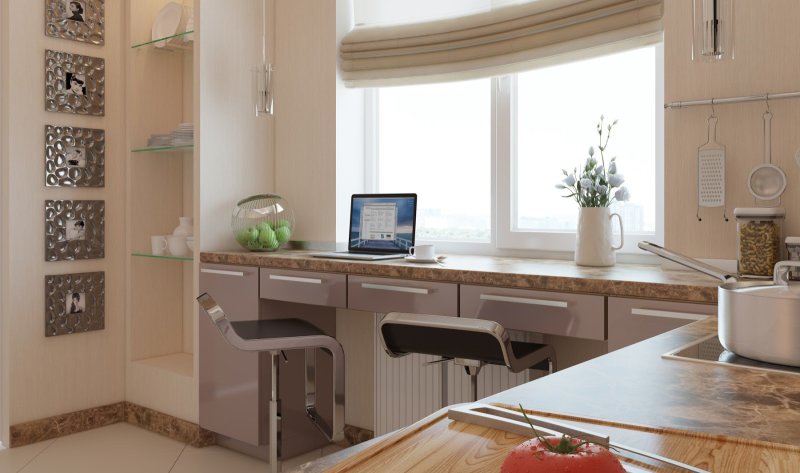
[[555, 313]]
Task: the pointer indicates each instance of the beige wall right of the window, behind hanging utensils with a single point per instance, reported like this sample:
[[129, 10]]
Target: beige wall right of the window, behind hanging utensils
[[766, 41]]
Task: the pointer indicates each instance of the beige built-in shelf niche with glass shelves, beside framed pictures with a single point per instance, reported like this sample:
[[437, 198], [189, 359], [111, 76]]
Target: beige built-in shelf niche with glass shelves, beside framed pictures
[[160, 368]]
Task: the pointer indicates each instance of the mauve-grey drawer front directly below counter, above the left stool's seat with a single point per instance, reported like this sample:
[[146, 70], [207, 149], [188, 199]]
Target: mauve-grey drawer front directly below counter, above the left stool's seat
[[305, 287]]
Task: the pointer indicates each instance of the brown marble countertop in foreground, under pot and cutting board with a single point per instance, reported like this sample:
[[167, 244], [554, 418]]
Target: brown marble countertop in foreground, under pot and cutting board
[[634, 386]]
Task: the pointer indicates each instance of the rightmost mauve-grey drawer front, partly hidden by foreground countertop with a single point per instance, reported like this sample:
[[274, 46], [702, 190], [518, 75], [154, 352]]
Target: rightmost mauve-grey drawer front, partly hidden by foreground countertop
[[634, 320]]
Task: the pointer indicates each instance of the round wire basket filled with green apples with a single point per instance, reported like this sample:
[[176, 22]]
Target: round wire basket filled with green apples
[[262, 222]]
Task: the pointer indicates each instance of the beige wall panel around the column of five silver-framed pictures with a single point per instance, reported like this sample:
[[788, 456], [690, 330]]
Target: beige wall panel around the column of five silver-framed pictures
[[49, 376]]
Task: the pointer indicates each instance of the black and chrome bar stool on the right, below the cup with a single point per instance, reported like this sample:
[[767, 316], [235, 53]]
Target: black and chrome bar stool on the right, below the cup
[[470, 343]]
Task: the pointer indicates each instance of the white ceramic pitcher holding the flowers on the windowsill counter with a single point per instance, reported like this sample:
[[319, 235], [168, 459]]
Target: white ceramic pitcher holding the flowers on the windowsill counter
[[593, 245]]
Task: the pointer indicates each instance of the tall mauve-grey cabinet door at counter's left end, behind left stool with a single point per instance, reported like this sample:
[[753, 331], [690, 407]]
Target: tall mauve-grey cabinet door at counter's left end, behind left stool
[[229, 378]]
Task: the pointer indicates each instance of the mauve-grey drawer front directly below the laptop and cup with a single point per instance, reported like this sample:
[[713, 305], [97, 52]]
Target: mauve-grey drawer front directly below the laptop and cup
[[402, 295]]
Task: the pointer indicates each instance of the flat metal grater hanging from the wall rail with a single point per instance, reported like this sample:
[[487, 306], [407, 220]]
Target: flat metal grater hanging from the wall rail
[[711, 172]]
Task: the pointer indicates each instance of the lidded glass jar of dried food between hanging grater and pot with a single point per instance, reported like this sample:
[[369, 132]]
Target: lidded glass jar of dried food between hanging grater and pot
[[759, 233]]
